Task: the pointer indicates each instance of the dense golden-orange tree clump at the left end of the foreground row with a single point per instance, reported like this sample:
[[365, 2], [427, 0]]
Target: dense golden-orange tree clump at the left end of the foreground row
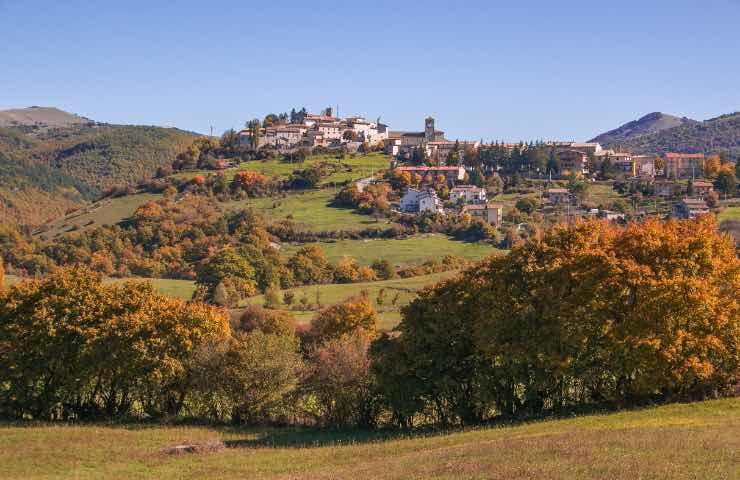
[[72, 347]]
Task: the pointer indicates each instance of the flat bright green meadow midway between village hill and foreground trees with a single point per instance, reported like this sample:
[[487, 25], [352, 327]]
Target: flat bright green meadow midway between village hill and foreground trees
[[413, 250]]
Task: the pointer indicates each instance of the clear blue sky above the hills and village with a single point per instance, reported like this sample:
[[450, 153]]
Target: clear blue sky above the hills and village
[[484, 69]]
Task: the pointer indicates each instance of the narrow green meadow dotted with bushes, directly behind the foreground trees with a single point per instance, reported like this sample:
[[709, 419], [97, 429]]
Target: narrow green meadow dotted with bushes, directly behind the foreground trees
[[402, 290]]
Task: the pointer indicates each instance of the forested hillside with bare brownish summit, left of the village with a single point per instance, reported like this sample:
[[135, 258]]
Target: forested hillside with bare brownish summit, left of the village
[[51, 161]]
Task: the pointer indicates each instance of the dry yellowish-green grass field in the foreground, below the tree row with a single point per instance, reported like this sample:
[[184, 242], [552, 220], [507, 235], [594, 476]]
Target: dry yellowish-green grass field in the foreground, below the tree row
[[680, 441]]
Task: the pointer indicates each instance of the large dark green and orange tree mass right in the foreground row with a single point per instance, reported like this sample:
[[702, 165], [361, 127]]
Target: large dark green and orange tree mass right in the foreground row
[[588, 313]]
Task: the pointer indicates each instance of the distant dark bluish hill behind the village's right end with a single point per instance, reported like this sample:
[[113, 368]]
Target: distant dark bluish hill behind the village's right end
[[720, 133]]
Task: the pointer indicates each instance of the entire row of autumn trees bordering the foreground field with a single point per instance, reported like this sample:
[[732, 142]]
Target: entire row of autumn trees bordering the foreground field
[[585, 316]]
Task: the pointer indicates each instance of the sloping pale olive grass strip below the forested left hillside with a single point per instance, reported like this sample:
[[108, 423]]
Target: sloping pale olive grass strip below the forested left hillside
[[105, 212]]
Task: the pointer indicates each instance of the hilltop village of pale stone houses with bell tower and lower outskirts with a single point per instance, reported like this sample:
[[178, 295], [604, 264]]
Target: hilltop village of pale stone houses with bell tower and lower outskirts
[[432, 174]]
